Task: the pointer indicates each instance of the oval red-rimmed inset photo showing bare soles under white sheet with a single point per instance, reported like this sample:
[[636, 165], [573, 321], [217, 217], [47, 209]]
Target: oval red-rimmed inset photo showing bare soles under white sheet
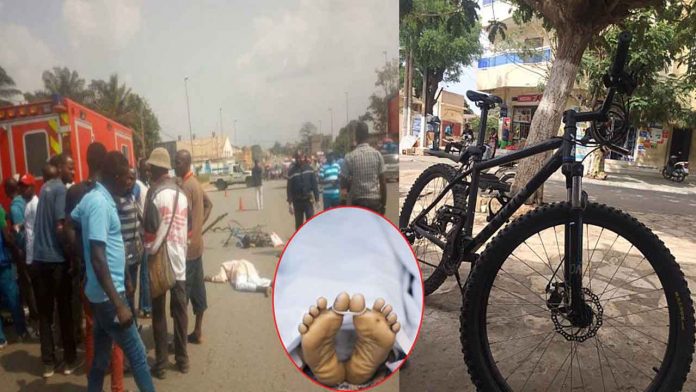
[[348, 299]]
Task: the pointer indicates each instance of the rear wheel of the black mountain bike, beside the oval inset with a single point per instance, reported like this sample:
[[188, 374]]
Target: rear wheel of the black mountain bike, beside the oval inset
[[424, 191]]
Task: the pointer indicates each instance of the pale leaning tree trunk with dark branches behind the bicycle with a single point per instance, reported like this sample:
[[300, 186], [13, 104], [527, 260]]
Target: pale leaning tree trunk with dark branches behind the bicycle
[[576, 23]]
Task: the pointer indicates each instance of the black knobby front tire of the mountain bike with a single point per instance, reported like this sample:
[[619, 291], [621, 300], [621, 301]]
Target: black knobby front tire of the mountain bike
[[482, 368]]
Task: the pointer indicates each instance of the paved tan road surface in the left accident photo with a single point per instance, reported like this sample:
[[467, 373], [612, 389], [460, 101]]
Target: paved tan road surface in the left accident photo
[[241, 351]]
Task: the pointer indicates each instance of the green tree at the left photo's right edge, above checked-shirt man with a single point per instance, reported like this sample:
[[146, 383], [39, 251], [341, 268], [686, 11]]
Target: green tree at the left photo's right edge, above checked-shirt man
[[387, 82]]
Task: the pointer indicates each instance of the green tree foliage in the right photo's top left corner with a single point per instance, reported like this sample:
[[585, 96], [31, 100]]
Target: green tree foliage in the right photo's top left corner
[[444, 37]]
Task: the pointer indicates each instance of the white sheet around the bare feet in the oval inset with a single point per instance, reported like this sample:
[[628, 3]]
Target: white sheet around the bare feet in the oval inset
[[352, 250]]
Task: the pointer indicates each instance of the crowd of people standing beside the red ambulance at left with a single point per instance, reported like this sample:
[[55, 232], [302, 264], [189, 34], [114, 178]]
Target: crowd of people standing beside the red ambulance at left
[[76, 253]]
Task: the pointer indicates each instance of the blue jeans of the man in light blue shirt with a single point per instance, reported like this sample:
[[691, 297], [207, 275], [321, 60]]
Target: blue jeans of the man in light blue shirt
[[106, 331]]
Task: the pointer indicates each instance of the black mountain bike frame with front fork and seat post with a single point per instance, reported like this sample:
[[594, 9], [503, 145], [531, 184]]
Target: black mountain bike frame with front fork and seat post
[[465, 245]]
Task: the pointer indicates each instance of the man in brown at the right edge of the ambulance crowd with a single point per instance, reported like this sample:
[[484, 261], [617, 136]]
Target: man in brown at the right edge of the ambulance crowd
[[199, 207]]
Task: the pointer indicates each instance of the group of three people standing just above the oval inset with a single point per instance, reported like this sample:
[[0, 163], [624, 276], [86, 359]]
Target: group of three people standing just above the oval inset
[[357, 180]]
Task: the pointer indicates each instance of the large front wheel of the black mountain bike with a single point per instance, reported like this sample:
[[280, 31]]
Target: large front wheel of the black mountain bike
[[517, 334]]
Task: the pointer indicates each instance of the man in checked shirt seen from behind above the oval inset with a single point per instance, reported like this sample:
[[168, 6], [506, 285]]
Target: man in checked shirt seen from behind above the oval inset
[[363, 174]]
